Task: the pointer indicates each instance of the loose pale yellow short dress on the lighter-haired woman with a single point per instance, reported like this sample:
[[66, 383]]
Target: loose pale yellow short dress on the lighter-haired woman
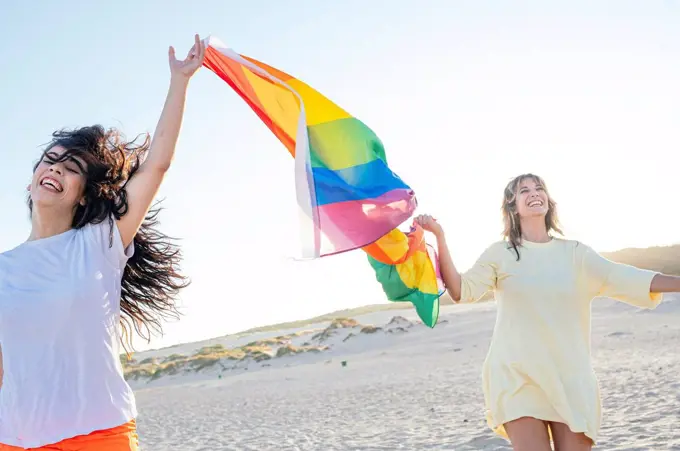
[[538, 364]]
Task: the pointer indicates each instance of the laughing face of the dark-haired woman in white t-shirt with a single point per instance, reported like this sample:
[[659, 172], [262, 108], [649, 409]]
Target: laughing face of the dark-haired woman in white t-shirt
[[58, 181]]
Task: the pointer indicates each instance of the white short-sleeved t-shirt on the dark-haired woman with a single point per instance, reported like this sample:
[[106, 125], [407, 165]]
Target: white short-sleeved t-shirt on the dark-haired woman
[[59, 332]]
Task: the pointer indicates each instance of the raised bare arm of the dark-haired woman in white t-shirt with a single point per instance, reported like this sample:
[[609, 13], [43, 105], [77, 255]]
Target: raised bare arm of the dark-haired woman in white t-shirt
[[144, 184]]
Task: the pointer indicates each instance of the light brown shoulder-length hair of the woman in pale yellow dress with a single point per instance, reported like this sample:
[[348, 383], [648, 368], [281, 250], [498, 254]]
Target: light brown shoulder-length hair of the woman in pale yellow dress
[[512, 230]]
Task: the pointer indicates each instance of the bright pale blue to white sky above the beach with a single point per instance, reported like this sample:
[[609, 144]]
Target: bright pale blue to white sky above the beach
[[463, 94]]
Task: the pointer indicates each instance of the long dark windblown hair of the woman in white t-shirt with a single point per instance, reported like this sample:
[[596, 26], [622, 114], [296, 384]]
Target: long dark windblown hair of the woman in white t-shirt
[[151, 280]]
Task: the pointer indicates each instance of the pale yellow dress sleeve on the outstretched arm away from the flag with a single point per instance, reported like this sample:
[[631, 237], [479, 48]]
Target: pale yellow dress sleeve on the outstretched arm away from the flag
[[618, 281]]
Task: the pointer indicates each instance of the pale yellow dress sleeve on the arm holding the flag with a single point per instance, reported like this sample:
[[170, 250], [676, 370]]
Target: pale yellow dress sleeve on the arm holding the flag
[[481, 277]]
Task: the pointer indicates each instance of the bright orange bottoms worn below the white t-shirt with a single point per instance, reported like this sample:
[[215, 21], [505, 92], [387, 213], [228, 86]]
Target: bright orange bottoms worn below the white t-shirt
[[120, 438]]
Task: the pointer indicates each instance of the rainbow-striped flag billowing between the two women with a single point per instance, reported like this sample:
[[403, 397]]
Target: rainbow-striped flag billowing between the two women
[[347, 194]]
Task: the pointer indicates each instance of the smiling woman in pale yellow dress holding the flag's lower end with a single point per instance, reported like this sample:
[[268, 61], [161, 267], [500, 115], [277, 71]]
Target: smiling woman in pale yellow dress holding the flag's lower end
[[538, 380]]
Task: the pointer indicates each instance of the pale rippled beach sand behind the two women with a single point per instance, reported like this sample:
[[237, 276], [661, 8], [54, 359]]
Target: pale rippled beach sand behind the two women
[[409, 388]]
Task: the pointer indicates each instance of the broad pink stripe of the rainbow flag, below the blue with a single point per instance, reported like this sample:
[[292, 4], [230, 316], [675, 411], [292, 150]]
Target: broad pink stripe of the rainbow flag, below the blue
[[355, 224]]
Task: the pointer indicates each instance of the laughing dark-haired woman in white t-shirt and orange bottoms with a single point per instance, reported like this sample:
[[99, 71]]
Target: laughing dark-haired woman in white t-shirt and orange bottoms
[[94, 261]]
